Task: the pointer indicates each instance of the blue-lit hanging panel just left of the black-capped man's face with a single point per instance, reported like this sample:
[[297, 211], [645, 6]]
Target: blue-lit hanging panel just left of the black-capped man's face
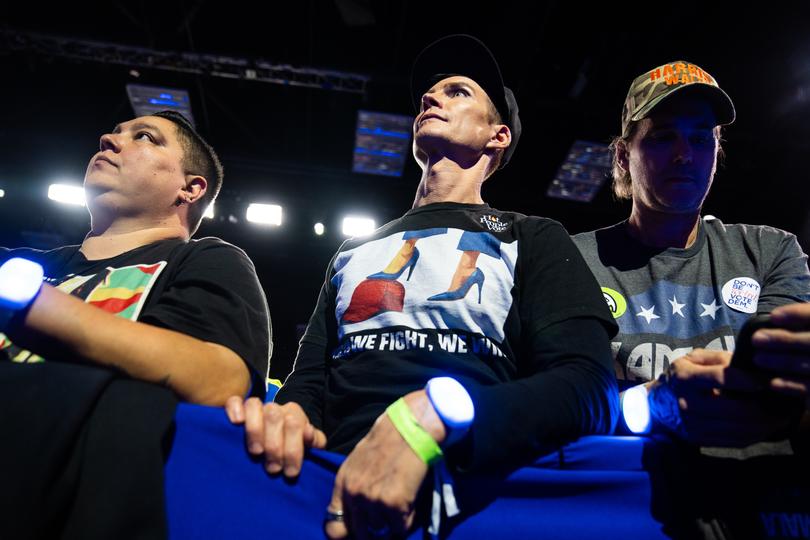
[[381, 143]]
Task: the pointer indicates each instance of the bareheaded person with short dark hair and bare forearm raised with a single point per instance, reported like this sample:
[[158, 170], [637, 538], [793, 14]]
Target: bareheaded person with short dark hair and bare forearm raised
[[187, 314]]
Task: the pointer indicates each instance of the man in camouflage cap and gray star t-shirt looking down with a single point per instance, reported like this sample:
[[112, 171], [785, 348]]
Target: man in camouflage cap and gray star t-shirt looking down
[[681, 286]]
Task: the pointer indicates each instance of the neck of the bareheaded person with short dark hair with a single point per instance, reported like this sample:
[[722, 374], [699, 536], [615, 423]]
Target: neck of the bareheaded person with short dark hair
[[120, 236]]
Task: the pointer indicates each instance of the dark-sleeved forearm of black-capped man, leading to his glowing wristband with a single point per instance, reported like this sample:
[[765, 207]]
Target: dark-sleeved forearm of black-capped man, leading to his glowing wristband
[[573, 394]]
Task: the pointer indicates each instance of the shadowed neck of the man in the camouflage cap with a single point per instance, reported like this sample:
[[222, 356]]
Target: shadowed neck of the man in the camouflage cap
[[663, 230]]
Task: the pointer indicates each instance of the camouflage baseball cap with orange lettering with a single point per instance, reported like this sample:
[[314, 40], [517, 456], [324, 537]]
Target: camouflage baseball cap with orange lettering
[[654, 86]]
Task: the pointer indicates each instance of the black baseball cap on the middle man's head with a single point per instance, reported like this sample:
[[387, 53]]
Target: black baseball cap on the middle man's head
[[465, 55]]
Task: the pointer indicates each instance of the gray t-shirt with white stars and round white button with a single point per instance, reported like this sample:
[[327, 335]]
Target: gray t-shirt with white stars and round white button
[[669, 301]]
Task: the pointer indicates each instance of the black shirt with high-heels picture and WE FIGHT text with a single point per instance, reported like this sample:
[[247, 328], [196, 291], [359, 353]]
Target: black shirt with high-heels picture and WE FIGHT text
[[524, 328]]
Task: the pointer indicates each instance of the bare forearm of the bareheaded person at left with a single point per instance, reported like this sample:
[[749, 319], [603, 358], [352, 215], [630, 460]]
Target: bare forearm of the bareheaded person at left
[[58, 326]]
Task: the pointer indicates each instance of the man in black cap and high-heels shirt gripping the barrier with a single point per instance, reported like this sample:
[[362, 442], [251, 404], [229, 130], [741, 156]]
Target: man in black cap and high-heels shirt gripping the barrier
[[457, 330]]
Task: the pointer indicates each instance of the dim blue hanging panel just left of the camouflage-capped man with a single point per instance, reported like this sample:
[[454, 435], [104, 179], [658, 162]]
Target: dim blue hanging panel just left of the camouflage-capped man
[[583, 172]]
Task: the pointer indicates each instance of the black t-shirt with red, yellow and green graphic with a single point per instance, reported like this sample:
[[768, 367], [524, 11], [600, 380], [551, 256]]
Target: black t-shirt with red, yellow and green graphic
[[205, 288]]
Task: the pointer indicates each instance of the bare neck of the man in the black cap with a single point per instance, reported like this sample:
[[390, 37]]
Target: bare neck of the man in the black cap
[[447, 181]]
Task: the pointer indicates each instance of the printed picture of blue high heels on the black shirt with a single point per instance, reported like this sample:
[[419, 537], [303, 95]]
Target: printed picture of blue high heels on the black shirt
[[440, 278]]
